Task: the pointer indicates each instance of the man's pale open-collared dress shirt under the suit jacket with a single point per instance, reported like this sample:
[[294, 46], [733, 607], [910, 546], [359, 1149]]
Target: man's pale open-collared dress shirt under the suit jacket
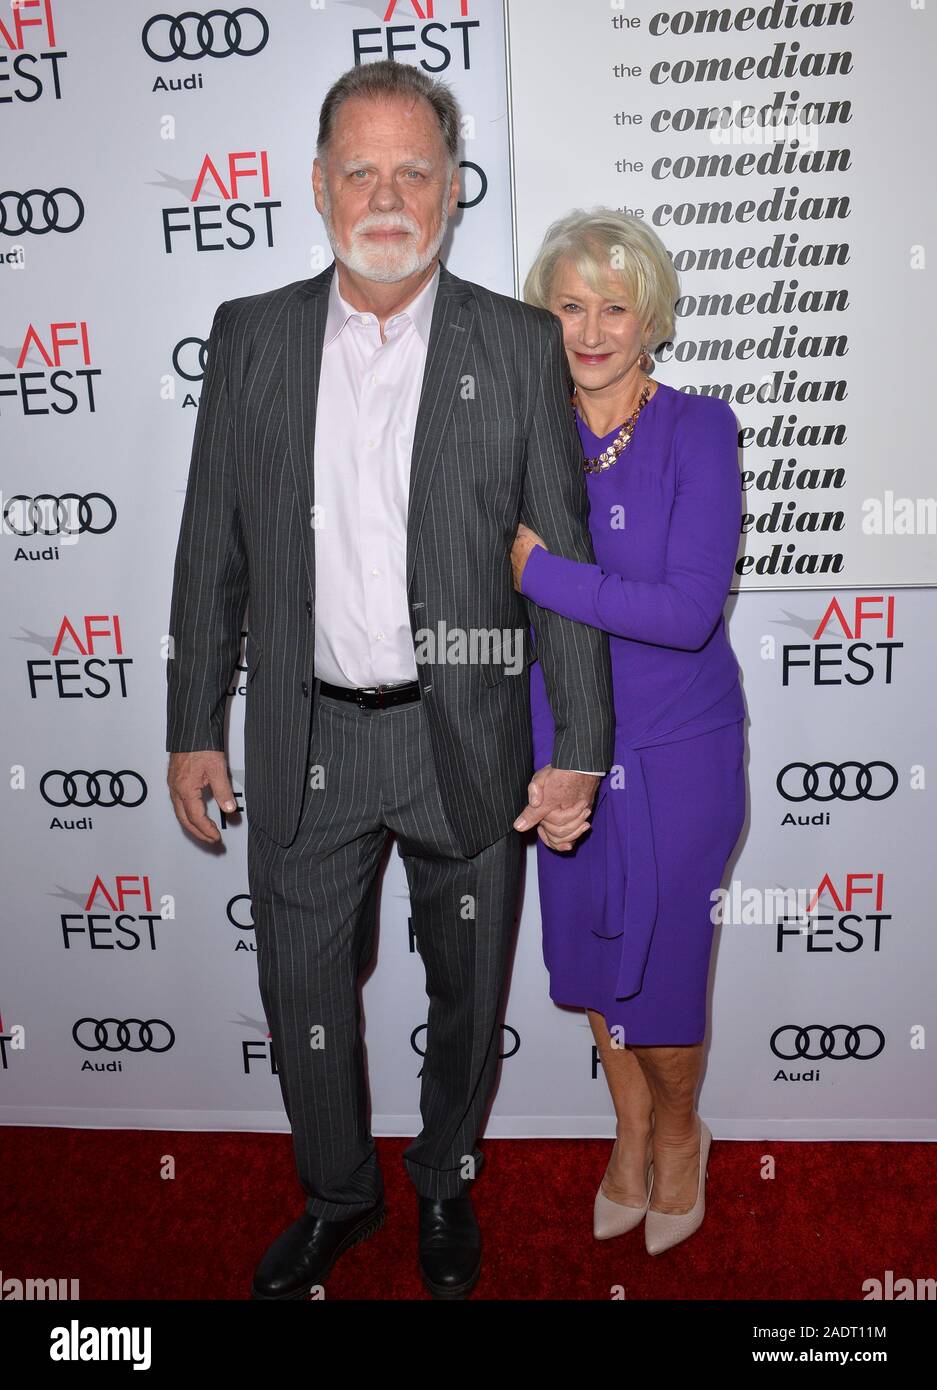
[[369, 394]]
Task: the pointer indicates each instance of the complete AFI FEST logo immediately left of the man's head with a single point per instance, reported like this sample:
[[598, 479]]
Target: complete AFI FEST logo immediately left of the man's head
[[238, 219]]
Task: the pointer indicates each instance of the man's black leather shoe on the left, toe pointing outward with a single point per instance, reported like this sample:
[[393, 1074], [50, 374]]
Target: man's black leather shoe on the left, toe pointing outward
[[305, 1253]]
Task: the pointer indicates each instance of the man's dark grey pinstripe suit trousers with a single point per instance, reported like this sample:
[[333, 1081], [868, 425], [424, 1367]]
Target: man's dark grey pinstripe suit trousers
[[315, 914]]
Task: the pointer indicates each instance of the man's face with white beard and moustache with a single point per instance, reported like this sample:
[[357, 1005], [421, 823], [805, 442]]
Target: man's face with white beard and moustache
[[383, 193]]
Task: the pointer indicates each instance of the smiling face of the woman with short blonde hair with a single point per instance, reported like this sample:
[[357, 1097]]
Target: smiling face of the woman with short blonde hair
[[603, 337]]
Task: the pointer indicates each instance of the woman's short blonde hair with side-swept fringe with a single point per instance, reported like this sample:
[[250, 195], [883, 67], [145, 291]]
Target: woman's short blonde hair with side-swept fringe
[[611, 250]]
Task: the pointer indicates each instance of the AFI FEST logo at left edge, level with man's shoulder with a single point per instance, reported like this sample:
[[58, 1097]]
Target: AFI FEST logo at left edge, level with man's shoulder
[[55, 372]]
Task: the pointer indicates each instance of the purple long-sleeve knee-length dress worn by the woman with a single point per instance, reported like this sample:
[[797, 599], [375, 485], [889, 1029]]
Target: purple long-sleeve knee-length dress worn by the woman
[[626, 914]]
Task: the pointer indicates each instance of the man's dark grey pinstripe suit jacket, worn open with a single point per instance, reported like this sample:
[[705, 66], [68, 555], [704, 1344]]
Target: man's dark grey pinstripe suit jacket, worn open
[[494, 444]]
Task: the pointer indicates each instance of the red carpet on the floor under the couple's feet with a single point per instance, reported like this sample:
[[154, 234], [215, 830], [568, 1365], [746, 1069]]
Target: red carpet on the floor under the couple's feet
[[91, 1204]]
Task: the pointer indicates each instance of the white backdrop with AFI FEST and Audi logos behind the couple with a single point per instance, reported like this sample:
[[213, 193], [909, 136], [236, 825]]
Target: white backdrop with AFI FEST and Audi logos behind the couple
[[156, 165]]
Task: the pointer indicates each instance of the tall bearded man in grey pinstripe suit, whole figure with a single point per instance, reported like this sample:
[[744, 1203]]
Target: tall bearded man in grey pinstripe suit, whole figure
[[366, 444]]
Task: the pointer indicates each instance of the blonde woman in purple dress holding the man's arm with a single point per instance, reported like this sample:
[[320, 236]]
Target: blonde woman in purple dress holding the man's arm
[[626, 900]]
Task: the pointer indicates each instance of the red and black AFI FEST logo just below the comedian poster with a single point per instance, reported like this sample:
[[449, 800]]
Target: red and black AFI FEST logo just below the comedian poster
[[853, 644]]
